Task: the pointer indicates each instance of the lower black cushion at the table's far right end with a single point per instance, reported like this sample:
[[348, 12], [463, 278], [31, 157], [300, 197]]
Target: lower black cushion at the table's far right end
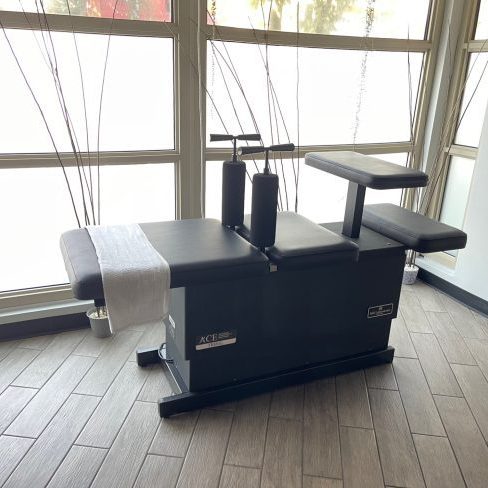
[[416, 231]]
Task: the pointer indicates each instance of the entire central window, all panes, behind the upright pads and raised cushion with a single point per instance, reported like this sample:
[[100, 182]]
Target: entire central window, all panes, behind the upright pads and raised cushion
[[319, 97]]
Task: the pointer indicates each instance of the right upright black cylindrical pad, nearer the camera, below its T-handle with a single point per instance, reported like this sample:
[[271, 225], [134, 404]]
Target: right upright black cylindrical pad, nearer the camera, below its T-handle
[[264, 209]]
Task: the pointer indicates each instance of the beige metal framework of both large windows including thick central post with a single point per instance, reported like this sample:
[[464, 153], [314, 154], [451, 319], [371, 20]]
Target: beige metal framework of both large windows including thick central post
[[190, 48]]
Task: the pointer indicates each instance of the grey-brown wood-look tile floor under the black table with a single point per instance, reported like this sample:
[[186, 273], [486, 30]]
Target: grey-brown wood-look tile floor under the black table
[[76, 411]]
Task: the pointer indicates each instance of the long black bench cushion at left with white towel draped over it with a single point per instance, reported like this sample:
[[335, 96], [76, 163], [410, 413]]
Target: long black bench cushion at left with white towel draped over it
[[198, 251]]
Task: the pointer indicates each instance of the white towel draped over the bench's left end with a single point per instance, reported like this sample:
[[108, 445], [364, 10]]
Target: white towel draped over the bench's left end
[[136, 278]]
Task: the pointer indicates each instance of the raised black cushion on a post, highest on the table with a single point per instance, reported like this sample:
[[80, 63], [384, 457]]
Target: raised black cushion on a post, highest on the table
[[366, 170]]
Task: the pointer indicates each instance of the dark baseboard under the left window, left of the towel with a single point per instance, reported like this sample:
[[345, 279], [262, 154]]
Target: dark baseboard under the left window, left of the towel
[[43, 326]]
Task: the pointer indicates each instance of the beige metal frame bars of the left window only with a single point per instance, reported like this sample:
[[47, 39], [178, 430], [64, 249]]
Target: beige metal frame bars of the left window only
[[93, 25]]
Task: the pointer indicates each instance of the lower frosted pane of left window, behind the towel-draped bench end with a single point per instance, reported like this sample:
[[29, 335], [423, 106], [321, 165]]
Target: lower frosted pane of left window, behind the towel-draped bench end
[[36, 210]]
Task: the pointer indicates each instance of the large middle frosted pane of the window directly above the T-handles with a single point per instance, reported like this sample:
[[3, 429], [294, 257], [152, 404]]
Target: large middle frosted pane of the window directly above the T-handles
[[337, 99]]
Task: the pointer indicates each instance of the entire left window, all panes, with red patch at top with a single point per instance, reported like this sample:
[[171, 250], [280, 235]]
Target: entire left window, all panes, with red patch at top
[[101, 105]]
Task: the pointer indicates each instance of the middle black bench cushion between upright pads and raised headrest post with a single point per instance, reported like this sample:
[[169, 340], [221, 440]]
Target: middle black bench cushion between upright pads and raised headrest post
[[300, 242]]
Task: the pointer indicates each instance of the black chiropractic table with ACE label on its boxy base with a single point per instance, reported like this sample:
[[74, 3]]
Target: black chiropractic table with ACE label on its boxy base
[[319, 300]]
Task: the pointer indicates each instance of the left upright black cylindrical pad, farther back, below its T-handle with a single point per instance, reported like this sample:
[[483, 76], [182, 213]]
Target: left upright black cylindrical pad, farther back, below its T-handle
[[233, 188]]
